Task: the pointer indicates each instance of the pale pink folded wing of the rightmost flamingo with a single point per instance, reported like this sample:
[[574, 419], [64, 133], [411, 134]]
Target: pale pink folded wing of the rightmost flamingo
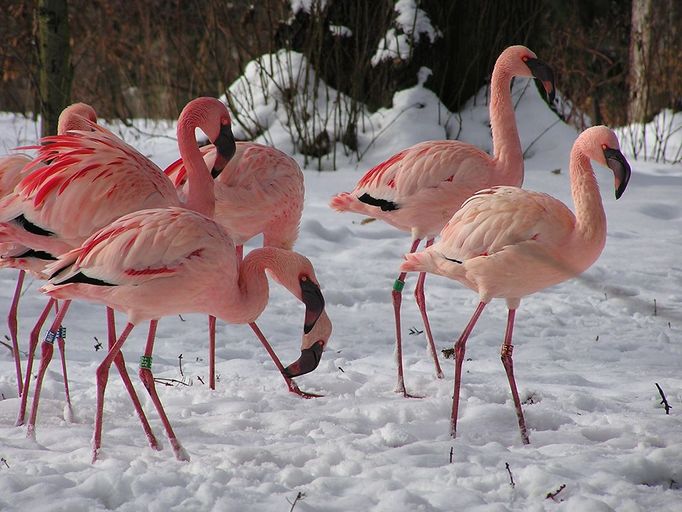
[[496, 218]]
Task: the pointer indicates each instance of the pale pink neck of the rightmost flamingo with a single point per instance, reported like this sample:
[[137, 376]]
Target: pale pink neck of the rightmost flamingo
[[589, 210]]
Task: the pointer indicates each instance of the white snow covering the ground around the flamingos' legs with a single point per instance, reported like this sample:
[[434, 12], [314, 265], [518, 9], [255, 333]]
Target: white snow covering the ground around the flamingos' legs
[[588, 354]]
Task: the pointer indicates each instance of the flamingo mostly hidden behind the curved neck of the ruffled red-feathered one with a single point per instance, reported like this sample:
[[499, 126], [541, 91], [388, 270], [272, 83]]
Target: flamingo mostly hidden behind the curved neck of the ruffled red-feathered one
[[261, 190]]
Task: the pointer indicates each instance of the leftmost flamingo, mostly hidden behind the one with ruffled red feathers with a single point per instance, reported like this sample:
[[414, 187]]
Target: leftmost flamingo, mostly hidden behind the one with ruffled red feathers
[[12, 171]]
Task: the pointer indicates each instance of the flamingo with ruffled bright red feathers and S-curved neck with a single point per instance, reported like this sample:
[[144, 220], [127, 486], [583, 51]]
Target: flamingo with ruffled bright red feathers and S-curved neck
[[83, 180]]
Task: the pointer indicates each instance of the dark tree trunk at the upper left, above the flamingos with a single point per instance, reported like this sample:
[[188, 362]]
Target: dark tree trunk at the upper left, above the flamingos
[[54, 62]]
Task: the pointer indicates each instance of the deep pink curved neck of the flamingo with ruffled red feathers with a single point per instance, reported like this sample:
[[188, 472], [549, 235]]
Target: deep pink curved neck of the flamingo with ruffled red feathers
[[200, 194]]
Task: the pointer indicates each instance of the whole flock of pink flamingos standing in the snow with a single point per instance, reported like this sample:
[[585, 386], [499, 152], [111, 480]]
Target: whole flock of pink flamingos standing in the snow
[[102, 223]]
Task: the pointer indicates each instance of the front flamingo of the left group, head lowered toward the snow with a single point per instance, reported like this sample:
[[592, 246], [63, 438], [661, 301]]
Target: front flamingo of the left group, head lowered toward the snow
[[160, 262]]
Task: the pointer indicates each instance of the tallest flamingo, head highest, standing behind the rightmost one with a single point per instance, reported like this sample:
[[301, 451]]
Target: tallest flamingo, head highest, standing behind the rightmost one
[[419, 188]]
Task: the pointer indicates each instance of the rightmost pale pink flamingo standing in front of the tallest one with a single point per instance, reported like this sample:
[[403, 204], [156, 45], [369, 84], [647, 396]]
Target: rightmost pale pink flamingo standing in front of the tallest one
[[508, 243]]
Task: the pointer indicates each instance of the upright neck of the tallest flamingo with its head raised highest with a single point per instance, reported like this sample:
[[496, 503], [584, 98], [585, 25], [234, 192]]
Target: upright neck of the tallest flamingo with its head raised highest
[[506, 141]]
